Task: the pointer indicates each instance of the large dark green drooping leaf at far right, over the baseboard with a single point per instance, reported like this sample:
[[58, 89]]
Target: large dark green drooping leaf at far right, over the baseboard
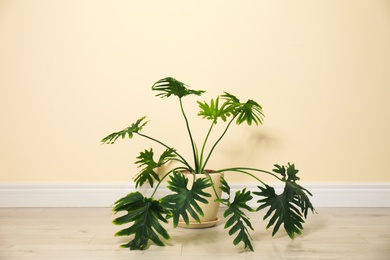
[[289, 208]]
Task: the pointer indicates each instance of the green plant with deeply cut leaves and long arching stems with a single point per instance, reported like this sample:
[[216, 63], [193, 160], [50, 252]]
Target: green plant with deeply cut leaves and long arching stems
[[146, 214]]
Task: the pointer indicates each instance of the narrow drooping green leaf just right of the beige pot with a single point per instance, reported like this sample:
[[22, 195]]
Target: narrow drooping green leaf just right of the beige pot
[[238, 221]]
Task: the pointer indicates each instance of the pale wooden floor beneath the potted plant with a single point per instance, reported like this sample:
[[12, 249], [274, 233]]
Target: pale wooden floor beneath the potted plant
[[87, 233]]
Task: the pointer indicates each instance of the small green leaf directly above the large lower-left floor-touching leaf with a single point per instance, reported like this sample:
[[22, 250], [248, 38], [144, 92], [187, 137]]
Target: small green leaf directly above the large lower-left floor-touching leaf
[[146, 160]]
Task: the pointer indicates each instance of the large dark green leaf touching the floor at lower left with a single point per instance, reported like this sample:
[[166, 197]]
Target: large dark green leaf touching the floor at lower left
[[145, 215]]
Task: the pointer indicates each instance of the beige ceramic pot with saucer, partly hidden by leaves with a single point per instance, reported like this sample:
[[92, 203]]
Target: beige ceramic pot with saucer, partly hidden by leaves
[[210, 210]]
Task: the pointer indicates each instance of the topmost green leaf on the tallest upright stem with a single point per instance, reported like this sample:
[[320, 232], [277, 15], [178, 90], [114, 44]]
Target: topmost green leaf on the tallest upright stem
[[170, 86]]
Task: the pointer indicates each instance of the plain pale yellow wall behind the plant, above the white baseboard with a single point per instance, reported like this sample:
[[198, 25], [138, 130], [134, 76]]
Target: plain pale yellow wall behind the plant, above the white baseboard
[[74, 71]]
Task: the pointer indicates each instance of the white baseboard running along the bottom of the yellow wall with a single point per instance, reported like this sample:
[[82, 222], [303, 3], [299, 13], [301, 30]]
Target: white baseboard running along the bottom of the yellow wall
[[104, 195]]
